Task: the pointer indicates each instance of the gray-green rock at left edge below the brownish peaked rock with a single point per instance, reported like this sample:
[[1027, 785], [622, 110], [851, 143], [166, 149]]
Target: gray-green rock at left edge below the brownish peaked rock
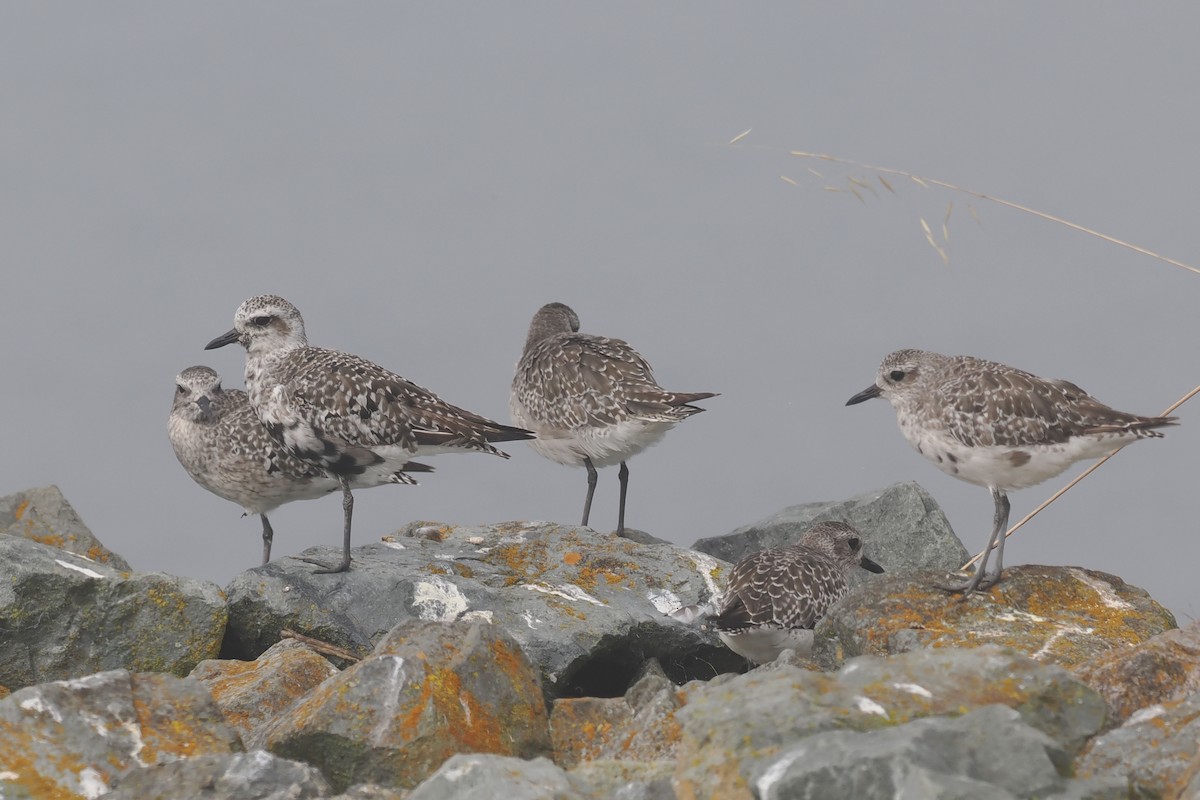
[[63, 616]]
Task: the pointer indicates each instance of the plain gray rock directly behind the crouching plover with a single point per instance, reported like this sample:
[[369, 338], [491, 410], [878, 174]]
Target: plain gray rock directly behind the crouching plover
[[903, 528]]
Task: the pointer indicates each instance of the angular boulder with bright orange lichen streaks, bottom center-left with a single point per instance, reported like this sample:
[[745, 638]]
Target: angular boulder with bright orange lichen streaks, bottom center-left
[[429, 691]]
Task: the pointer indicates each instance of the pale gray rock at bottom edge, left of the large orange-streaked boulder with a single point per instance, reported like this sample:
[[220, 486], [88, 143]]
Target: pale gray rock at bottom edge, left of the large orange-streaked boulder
[[256, 775]]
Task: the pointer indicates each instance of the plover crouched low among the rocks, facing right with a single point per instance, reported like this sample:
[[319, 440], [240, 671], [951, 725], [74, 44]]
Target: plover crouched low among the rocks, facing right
[[776, 598]]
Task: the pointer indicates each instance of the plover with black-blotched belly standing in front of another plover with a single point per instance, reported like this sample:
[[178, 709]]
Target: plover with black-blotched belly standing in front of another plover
[[344, 414]]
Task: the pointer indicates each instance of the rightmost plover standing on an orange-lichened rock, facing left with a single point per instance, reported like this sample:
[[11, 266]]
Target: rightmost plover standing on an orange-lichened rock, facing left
[[1000, 428]]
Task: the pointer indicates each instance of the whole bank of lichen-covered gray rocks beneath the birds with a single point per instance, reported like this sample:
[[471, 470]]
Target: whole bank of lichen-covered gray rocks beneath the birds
[[533, 660]]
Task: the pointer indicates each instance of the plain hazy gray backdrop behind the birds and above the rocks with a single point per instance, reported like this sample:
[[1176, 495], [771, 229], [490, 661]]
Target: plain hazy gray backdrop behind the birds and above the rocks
[[419, 179]]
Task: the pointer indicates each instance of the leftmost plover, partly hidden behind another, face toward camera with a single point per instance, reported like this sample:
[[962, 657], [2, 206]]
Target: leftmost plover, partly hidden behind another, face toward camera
[[225, 448]]
